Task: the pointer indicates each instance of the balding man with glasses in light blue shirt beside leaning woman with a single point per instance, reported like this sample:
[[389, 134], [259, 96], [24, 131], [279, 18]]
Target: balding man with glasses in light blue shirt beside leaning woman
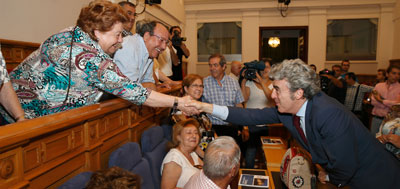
[[135, 58]]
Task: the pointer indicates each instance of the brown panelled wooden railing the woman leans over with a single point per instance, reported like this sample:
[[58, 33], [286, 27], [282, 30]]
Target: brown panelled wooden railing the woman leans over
[[47, 151]]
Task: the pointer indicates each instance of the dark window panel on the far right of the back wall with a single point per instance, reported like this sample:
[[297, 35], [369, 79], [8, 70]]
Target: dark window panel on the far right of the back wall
[[353, 39]]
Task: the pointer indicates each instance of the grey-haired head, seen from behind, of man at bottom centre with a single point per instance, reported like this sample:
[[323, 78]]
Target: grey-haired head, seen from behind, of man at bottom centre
[[221, 156]]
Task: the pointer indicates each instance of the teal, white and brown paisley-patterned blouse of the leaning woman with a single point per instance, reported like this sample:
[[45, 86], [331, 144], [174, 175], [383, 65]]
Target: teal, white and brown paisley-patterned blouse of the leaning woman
[[43, 79]]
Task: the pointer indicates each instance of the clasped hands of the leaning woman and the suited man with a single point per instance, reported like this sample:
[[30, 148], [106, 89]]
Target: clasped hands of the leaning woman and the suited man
[[193, 107]]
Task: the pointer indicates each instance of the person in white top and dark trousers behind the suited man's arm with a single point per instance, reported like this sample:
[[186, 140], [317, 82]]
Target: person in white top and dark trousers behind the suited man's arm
[[257, 94]]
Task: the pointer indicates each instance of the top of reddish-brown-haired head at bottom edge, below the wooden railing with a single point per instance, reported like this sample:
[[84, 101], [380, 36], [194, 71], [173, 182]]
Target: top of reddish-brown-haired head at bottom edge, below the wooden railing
[[114, 177]]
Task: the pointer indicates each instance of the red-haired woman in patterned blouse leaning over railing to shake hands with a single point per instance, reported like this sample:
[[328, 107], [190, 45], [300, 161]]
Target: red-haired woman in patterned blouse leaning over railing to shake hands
[[72, 68]]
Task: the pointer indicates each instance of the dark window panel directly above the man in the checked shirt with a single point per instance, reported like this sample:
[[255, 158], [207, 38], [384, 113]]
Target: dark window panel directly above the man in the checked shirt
[[224, 38]]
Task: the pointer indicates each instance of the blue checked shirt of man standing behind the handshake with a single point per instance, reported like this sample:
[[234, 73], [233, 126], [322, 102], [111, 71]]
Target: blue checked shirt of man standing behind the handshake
[[229, 94]]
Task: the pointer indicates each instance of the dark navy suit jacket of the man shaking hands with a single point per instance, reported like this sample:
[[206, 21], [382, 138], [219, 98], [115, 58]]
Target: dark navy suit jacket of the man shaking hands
[[337, 140]]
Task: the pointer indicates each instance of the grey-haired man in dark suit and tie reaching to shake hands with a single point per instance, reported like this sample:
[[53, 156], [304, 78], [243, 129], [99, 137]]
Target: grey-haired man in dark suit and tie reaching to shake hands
[[334, 136]]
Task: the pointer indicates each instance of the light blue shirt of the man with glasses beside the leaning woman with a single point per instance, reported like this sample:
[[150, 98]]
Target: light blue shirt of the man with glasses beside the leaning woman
[[133, 59]]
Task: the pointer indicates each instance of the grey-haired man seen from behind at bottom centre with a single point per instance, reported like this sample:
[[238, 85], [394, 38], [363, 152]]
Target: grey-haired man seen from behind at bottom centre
[[221, 165]]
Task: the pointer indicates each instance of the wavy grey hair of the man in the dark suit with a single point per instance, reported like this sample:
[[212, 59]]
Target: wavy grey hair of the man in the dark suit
[[298, 76]]
